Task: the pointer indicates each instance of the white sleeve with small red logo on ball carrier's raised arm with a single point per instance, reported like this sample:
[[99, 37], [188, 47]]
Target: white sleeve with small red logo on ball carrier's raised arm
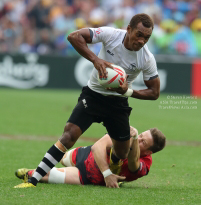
[[102, 34]]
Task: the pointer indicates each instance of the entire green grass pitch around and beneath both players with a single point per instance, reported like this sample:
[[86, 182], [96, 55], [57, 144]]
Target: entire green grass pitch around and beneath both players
[[31, 121]]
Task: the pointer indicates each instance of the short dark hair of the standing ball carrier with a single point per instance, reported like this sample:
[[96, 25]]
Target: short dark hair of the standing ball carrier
[[144, 18]]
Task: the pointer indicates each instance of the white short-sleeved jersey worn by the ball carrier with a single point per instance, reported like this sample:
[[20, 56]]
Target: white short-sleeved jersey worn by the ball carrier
[[113, 51]]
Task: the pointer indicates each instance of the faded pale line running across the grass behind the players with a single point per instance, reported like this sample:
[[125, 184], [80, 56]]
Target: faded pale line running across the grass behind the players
[[88, 139]]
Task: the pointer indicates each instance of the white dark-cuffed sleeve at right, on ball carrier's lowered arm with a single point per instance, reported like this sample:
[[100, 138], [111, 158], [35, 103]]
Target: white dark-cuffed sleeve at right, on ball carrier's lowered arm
[[150, 69]]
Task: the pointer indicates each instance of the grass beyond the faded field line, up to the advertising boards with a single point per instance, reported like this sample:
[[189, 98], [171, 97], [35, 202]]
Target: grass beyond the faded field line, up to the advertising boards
[[45, 112]]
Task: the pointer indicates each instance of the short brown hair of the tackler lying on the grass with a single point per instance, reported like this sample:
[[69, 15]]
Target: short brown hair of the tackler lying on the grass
[[159, 140]]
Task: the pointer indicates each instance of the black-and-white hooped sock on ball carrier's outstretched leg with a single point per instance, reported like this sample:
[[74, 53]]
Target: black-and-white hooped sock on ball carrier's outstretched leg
[[51, 158]]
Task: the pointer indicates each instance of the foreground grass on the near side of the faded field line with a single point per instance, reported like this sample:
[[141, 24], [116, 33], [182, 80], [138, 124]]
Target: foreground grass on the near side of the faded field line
[[173, 179]]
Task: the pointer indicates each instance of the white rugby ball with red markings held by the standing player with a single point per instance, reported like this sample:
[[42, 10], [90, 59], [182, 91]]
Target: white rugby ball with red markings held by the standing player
[[116, 77]]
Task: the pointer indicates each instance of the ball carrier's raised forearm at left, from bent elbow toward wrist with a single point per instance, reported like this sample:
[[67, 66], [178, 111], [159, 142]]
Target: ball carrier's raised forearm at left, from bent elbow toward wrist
[[80, 45]]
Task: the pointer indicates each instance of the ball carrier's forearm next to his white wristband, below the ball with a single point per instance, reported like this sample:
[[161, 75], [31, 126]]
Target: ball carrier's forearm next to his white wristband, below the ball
[[147, 94]]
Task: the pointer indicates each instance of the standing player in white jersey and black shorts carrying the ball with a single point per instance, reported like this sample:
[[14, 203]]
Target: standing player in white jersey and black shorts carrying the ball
[[96, 104]]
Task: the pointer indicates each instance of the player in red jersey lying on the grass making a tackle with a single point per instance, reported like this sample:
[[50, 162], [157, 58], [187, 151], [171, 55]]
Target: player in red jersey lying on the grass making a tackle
[[81, 163]]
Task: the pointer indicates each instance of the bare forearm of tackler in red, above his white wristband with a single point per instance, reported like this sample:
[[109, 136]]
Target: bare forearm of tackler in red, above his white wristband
[[100, 157]]
